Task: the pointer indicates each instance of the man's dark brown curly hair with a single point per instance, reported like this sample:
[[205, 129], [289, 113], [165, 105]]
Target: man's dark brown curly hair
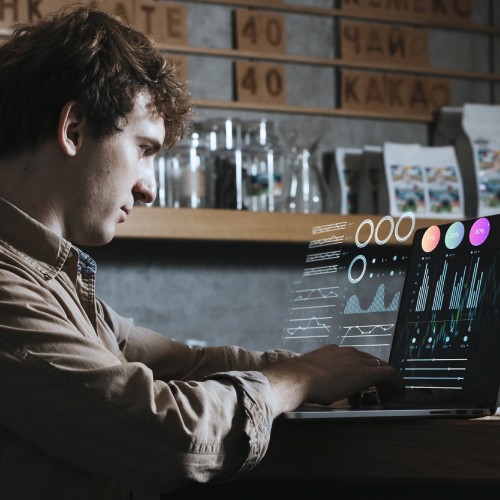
[[90, 56]]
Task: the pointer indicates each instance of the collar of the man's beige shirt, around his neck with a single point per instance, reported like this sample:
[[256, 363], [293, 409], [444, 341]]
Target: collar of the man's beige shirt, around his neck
[[23, 234]]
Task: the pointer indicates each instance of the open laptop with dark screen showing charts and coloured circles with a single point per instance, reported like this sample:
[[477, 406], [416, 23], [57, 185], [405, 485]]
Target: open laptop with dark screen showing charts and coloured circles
[[446, 342]]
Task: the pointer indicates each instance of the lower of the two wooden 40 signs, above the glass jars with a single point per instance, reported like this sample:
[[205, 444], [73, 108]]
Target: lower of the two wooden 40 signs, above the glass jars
[[260, 82]]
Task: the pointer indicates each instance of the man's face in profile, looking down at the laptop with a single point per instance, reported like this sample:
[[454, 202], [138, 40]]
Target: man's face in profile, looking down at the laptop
[[112, 174]]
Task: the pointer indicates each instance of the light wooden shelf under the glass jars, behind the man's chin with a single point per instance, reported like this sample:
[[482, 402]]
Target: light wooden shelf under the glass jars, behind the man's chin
[[233, 225]]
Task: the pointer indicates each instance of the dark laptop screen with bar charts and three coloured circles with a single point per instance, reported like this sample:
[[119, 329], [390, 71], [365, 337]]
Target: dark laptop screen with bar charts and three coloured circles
[[451, 303]]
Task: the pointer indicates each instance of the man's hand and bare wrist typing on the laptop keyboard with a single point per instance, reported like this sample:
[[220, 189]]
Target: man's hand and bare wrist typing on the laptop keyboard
[[329, 374]]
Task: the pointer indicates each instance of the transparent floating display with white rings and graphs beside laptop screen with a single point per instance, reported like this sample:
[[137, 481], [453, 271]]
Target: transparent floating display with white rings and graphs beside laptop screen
[[351, 284]]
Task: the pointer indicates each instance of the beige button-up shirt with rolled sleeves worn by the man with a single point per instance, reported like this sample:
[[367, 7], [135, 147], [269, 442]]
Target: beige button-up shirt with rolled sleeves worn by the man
[[93, 407]]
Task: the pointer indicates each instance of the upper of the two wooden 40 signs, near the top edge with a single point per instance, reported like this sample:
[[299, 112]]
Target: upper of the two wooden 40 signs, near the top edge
[[260, 31]]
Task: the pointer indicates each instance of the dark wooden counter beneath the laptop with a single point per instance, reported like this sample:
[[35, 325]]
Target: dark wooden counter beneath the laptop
[[418, 458]]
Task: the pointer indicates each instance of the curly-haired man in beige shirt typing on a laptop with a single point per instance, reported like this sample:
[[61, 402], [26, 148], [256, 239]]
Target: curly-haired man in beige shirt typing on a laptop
[[92, 406]]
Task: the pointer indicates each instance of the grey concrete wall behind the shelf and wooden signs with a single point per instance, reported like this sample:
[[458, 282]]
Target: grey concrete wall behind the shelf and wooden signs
[[237, 293]]
